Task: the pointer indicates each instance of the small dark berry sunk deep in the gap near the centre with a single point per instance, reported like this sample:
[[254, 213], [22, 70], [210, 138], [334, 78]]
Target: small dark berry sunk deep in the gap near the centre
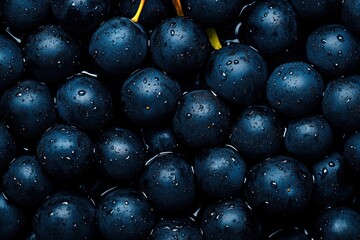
[[160, 139]]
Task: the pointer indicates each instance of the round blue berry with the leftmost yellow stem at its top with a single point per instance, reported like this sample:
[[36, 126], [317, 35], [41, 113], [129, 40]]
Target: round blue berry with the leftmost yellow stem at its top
[[126, 38]]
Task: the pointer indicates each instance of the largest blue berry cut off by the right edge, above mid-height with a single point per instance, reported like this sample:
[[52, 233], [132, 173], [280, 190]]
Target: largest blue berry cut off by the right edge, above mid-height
[[341, 101]]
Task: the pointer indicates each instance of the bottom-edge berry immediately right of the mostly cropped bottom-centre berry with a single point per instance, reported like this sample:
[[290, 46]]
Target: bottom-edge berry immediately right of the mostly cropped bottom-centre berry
[[231, 218]]
